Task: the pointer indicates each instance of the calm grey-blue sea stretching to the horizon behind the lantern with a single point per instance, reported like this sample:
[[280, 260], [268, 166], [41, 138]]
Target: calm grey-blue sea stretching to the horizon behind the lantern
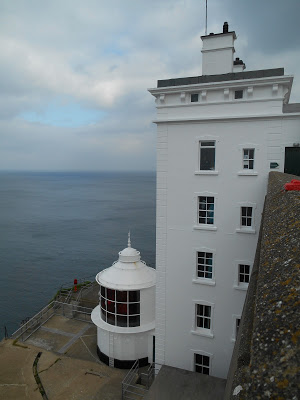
[[60, 226]]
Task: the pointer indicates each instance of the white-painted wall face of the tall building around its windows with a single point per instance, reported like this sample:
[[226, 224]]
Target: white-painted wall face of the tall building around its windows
[[259, 124]]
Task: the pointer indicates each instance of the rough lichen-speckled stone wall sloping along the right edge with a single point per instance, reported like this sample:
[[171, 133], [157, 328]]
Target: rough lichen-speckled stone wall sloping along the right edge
[[265, 362]]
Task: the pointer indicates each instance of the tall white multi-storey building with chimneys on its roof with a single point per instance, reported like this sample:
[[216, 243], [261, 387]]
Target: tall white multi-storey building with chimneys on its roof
[[218, 136]]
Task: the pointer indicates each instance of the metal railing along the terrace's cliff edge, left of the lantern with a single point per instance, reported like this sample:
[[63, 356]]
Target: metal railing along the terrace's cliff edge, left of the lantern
[[54, 308]]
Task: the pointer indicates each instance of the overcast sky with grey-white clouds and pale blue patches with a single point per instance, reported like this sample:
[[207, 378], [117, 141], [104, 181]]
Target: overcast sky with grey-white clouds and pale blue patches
[[74, 74]]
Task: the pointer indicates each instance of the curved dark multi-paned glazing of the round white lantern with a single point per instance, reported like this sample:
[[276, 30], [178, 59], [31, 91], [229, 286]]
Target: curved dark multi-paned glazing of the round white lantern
[[121, 308]]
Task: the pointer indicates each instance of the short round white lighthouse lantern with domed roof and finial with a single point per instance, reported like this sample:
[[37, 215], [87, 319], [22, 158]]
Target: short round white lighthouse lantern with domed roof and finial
[[125, 318]]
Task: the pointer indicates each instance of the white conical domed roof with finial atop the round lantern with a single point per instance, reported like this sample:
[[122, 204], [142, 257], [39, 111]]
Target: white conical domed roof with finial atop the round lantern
[[128, 273]]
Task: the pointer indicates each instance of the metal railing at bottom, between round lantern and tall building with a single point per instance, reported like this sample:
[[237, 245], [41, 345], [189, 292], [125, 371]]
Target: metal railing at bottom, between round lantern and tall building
[[136, 384]]
